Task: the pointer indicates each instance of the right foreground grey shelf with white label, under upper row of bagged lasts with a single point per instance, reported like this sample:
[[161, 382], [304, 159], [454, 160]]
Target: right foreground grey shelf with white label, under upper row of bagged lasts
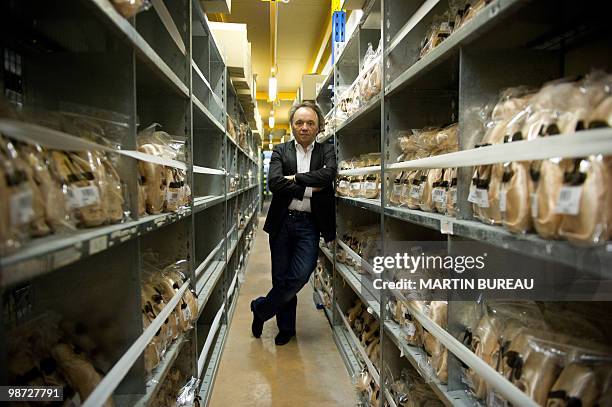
[[591, 259]]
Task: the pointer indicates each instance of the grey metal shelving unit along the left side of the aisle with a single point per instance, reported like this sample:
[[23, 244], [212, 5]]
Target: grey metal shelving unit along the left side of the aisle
[[161, 66]]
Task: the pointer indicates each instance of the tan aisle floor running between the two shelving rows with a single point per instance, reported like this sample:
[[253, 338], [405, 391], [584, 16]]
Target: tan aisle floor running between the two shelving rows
[[308, 371]]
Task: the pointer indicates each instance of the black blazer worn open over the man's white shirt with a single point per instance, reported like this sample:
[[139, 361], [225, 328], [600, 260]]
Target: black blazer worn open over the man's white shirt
[[322, 174]]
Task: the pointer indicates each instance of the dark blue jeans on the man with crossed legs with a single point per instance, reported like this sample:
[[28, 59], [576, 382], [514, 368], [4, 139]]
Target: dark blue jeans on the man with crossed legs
[[294, 251]]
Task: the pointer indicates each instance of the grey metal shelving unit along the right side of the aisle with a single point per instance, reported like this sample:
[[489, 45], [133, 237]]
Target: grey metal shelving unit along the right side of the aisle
[[508, 43]]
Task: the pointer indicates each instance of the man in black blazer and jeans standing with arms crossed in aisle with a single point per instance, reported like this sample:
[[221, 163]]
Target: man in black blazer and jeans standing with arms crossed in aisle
[[300, 177]]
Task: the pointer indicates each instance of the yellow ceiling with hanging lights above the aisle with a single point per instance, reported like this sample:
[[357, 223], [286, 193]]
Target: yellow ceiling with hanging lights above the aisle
[[299, 36]]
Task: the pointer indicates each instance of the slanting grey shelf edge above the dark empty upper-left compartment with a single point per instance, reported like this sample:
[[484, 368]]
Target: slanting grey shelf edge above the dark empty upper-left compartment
[[144, 51]]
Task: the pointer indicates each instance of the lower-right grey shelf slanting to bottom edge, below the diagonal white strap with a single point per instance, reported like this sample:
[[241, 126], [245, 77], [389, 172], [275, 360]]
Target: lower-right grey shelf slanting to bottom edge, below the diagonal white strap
[[418, 359]]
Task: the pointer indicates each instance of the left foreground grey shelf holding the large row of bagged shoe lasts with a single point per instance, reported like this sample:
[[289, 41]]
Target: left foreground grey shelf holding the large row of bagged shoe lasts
[[43, 255]]
